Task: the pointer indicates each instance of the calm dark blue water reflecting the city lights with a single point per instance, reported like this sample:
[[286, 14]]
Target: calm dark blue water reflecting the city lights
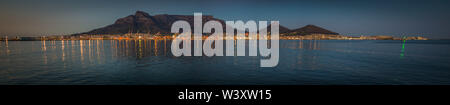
[[150, 62]]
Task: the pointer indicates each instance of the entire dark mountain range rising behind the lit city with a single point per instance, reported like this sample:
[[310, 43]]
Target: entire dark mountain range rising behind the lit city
[[142, 22]]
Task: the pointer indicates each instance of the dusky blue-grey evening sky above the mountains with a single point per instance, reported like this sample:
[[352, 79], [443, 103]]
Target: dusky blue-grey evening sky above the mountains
[[429, 18]]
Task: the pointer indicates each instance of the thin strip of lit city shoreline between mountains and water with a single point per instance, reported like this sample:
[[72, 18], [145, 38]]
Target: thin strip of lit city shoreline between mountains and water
[[170, 37]]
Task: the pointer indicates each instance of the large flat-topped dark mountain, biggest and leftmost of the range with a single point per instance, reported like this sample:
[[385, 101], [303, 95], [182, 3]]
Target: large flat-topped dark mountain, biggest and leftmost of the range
[[142, 22]]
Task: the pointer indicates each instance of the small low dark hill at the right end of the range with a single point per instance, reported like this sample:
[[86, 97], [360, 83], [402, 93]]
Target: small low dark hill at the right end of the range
[[311, 29]]
